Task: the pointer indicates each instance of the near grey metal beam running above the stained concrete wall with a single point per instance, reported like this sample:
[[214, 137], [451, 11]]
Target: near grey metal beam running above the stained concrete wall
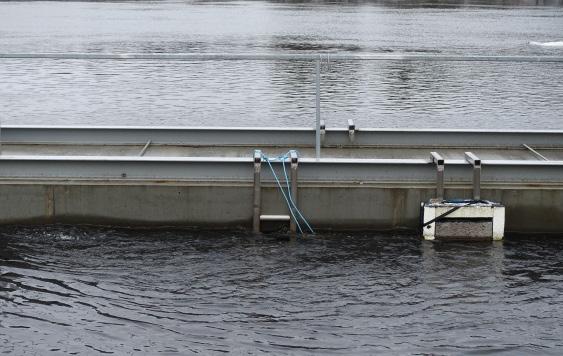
[[327, 170]]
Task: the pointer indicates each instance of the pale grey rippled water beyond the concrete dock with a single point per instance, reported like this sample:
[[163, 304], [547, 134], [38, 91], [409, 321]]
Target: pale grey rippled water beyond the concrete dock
[[281, 93]]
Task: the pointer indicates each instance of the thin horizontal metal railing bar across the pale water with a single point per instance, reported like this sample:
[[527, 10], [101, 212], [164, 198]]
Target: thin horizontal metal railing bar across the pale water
[[281, 56]]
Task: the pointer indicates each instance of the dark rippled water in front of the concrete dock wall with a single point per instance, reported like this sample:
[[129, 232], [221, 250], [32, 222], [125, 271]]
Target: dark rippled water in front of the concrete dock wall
[[80, 290]]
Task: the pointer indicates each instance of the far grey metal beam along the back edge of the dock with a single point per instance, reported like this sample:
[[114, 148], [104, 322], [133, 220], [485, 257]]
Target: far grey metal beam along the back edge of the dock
[[277, 136]]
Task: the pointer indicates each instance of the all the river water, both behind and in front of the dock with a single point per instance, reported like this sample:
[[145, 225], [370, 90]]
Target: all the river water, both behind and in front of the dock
[[87, 290]]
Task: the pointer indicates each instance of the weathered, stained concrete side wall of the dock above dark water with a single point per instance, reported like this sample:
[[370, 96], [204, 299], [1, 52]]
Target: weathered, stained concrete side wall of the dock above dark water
[[353, 206]]
